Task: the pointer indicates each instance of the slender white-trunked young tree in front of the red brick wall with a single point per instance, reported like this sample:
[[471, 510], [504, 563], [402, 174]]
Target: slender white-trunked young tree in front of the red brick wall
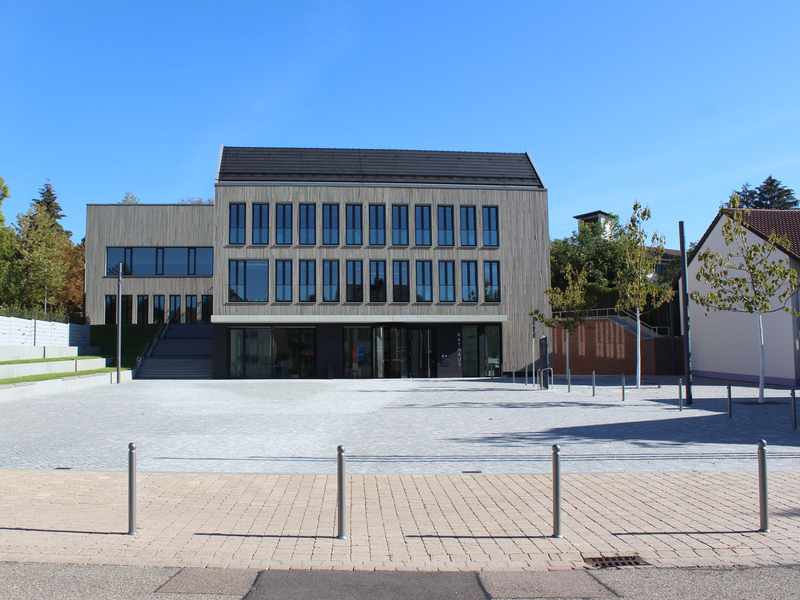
[[637, 290]]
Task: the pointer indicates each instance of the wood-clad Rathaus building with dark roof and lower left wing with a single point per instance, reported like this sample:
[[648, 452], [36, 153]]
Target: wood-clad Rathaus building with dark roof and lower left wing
[[339, 263]]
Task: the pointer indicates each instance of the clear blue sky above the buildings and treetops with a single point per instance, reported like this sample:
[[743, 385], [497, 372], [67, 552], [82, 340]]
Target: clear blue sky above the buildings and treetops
[[674, 104]]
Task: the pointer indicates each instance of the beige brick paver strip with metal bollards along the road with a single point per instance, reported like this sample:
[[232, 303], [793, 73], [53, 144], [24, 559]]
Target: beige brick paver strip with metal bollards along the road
[[403, 522]]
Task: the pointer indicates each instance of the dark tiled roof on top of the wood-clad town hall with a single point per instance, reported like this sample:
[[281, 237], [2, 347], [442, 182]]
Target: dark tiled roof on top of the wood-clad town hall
[[319, 165]]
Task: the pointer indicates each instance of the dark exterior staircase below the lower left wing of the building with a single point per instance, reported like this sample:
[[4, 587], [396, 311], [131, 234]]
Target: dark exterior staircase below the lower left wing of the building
[[185, 352]]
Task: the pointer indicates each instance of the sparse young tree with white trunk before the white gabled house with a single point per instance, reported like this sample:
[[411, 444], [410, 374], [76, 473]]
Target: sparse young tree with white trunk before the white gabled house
[[746, 279]]
